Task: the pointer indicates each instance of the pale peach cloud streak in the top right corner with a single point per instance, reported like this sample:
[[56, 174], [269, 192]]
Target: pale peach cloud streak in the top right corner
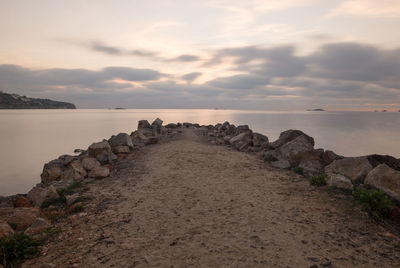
[[368, 8]]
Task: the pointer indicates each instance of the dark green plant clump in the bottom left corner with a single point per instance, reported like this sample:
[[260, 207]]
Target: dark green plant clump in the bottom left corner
[[17, 247]]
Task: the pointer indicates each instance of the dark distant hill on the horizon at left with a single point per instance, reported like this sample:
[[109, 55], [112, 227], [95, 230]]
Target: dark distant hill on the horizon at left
[[14, 101]]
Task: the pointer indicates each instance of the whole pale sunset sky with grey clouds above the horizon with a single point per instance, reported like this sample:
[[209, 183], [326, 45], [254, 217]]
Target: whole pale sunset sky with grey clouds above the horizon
[[228, 54]]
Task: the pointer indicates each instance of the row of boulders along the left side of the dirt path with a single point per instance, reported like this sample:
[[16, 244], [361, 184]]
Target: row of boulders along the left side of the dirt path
[[26, 212]]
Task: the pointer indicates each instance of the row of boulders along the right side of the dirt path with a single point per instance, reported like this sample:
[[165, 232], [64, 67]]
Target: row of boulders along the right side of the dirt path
[[295, 149]]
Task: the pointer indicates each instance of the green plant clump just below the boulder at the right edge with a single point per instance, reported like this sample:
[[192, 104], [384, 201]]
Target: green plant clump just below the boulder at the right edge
[[373, 200]]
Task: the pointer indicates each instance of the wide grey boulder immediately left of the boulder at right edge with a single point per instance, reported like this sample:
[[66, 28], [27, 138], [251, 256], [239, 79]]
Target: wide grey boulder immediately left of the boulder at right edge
[[355, 168]]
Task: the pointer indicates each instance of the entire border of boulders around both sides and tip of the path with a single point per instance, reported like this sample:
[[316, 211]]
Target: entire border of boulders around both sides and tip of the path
[[29, 212]]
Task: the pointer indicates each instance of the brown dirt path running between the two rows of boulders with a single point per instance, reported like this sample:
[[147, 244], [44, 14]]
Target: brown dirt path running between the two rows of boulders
[[186, 203]]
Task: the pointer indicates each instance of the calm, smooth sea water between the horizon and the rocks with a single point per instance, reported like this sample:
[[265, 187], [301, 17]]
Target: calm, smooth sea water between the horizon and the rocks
[[30, 138]]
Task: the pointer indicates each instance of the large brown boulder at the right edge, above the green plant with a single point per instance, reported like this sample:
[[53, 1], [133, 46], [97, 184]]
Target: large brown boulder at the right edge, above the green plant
[[386, 179]]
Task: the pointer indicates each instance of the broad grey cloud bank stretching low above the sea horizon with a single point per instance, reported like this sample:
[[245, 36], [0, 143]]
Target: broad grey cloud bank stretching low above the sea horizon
[[334, 75]]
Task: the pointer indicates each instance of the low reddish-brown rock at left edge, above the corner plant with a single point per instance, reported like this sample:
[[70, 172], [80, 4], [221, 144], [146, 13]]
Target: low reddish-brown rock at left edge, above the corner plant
[[21, 217]]
